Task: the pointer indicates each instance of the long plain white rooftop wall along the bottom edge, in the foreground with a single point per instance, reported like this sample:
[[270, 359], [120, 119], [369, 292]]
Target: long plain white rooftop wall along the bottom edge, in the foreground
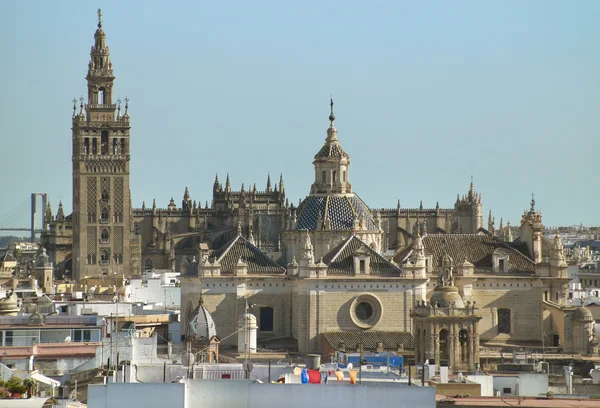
[[244, 394]]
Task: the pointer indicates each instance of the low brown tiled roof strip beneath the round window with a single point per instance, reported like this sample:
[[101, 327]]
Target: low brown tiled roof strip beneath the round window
[[369, 338]]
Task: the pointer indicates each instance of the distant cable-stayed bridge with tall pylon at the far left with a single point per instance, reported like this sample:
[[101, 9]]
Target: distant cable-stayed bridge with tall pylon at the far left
[[15, 219]]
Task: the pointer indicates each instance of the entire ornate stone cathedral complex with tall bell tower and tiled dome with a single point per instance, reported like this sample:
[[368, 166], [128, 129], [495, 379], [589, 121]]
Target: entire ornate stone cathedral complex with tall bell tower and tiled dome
[[326, 274]]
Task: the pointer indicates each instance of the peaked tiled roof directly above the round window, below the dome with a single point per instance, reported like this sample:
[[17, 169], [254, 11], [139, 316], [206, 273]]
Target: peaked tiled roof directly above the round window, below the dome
[[340, 259]]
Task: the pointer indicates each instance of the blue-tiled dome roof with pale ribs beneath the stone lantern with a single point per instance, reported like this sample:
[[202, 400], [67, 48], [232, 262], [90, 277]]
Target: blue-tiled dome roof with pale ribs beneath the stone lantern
[[339, 210]]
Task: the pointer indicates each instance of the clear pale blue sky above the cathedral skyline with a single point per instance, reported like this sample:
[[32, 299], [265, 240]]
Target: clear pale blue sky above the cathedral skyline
[[427, 93]]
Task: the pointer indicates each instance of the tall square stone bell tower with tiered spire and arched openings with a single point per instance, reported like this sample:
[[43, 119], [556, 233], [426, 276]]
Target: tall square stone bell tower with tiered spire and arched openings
[[101, 198]]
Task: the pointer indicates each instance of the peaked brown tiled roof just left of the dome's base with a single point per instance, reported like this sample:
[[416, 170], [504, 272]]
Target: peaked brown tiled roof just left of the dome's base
[[258, 262]]
